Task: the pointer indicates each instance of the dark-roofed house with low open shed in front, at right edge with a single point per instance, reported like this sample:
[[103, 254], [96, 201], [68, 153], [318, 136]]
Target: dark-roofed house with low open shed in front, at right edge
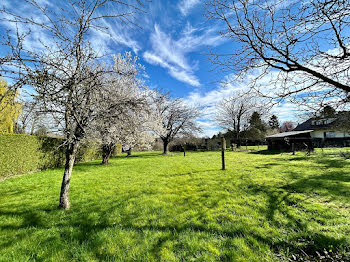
[[317, 131]]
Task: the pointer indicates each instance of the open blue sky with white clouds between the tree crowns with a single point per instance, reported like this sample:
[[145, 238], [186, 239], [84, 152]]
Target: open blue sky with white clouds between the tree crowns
[[171, 39]]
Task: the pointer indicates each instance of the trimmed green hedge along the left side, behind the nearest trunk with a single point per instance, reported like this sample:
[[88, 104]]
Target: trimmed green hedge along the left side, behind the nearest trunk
[[20, 154]]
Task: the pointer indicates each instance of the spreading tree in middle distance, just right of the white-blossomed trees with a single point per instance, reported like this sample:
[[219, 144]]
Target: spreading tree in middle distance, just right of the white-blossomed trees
[[176, 118]]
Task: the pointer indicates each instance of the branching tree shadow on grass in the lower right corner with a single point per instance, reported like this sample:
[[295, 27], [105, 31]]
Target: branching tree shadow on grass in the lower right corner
[[302, 241]]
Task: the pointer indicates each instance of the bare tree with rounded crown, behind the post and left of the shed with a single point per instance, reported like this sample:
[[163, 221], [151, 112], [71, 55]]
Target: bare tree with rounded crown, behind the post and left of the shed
[[234, 113]]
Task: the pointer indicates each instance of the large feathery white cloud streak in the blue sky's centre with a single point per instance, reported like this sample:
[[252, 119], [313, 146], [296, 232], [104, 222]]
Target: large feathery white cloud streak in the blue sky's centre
[[172, 54]]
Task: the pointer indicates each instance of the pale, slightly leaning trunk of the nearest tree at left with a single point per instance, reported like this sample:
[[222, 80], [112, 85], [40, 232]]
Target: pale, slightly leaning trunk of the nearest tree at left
[[70, 158]]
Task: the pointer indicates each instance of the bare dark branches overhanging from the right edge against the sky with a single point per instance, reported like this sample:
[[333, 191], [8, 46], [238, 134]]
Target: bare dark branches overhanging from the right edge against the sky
[[303, 48]]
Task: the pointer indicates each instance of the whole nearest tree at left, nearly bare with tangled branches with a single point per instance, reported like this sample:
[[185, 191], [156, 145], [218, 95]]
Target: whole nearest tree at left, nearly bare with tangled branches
[[66, 73]]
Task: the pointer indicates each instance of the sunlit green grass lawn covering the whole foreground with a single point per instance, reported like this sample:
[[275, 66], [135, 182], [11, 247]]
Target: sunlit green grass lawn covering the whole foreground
[[265, 207]]
